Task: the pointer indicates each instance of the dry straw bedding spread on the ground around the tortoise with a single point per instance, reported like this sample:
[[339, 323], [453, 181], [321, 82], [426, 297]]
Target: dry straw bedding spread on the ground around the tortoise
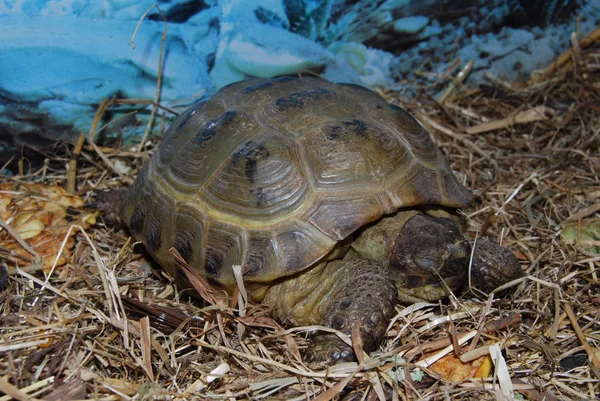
[[108, 327]]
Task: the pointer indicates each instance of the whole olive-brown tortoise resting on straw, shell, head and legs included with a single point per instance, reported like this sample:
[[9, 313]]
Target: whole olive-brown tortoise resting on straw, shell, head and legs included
[[336, 203]]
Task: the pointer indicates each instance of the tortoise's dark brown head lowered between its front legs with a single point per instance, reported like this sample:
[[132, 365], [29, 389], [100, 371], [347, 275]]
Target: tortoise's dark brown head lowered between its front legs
[[431, 256]]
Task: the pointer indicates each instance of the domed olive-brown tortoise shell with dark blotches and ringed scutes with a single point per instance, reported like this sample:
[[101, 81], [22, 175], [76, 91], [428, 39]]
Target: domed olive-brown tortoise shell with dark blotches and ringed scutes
[[271, 174]]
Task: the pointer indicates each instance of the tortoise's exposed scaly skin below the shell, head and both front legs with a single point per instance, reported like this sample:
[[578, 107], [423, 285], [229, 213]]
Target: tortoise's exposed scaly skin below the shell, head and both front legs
[[407, 257]]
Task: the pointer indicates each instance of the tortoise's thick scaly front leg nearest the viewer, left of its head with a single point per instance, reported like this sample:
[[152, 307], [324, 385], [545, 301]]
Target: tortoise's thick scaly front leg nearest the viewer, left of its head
[[338, 295]]
